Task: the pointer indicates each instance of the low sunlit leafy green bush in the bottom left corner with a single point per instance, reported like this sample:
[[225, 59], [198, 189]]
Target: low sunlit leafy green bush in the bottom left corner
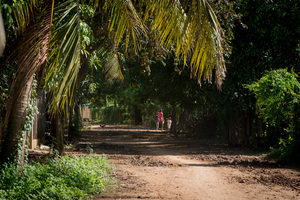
[[61, 178]]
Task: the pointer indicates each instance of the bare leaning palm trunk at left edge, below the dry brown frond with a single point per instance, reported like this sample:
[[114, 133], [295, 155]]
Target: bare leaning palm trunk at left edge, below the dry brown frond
[[16, 118]]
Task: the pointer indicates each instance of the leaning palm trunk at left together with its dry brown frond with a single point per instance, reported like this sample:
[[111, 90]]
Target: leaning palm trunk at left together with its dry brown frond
[[34, 24]]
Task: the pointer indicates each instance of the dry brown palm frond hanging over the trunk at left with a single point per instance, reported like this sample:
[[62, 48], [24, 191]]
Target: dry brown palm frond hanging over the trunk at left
[[32, 48]]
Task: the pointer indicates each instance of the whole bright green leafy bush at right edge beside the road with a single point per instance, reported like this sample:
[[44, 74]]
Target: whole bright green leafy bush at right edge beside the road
[[278, 98]]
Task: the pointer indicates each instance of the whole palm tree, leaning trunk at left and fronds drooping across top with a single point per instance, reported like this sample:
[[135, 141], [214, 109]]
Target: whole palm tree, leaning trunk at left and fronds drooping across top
[[189, 28]]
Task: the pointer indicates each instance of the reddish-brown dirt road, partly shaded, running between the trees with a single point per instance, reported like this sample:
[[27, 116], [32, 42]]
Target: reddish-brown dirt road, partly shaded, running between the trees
[[155, 165]]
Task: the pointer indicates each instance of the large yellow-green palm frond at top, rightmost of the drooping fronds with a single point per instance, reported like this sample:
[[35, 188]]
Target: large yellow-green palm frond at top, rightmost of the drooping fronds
[[192, 30]]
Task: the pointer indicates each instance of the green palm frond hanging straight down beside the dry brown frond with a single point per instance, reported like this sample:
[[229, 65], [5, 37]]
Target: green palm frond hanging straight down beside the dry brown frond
[[65, 48]]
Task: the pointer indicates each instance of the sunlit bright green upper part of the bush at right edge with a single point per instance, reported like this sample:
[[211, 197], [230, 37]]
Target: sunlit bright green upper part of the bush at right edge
[[277, 93]]
